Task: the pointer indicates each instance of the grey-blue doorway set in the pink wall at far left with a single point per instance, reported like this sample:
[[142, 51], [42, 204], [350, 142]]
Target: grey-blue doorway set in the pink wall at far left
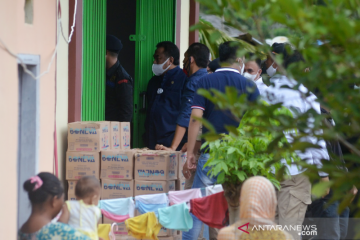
[[28, 138]]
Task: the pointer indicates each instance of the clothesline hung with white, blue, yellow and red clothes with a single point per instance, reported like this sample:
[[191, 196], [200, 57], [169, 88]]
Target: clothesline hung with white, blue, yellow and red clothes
[[158, 211]]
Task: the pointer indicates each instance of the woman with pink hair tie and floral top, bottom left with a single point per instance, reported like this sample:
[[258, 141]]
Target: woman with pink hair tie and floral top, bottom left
[[47, 197]]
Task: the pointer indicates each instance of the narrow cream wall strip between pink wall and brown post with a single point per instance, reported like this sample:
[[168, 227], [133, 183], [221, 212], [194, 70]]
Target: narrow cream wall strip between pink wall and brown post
[[62, 90]]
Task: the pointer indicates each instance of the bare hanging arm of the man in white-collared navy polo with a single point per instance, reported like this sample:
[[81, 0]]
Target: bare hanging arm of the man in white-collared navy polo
[[194, 127]]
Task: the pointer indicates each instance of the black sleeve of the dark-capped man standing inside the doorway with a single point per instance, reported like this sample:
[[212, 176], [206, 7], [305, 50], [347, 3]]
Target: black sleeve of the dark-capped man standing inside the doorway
[[124, 97]]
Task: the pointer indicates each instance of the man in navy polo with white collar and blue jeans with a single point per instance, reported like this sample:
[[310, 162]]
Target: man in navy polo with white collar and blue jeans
[[226, 76]]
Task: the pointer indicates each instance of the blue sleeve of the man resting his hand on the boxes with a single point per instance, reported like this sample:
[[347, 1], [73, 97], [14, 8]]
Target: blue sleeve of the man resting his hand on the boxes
[[186, 101]]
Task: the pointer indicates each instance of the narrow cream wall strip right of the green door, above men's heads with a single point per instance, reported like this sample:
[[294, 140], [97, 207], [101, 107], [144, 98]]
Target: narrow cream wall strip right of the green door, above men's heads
[[184, 29]]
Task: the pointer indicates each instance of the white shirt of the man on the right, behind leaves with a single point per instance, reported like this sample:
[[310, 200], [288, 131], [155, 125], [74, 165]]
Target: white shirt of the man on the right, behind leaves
[[292, 98]]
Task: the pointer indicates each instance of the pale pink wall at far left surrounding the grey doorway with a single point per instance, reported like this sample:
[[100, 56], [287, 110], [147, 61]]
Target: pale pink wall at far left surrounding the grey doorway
[[38, 38]]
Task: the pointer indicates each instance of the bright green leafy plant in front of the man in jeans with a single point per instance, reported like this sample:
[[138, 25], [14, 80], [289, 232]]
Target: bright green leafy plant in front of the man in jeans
[[244, 151]]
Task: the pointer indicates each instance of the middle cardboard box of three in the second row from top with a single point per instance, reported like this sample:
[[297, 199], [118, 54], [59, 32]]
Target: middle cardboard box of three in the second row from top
[[117, 164]]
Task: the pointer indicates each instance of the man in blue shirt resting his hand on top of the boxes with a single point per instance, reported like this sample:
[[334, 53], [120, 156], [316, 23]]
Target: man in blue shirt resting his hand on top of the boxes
[[196, 59]]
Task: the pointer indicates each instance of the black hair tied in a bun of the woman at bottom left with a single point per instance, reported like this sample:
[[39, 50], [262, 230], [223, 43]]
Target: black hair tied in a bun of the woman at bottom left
[[51, 187]]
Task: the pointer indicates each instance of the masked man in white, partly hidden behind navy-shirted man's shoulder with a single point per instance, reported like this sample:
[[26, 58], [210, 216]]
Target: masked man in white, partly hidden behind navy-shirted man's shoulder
[[253, 72]]
